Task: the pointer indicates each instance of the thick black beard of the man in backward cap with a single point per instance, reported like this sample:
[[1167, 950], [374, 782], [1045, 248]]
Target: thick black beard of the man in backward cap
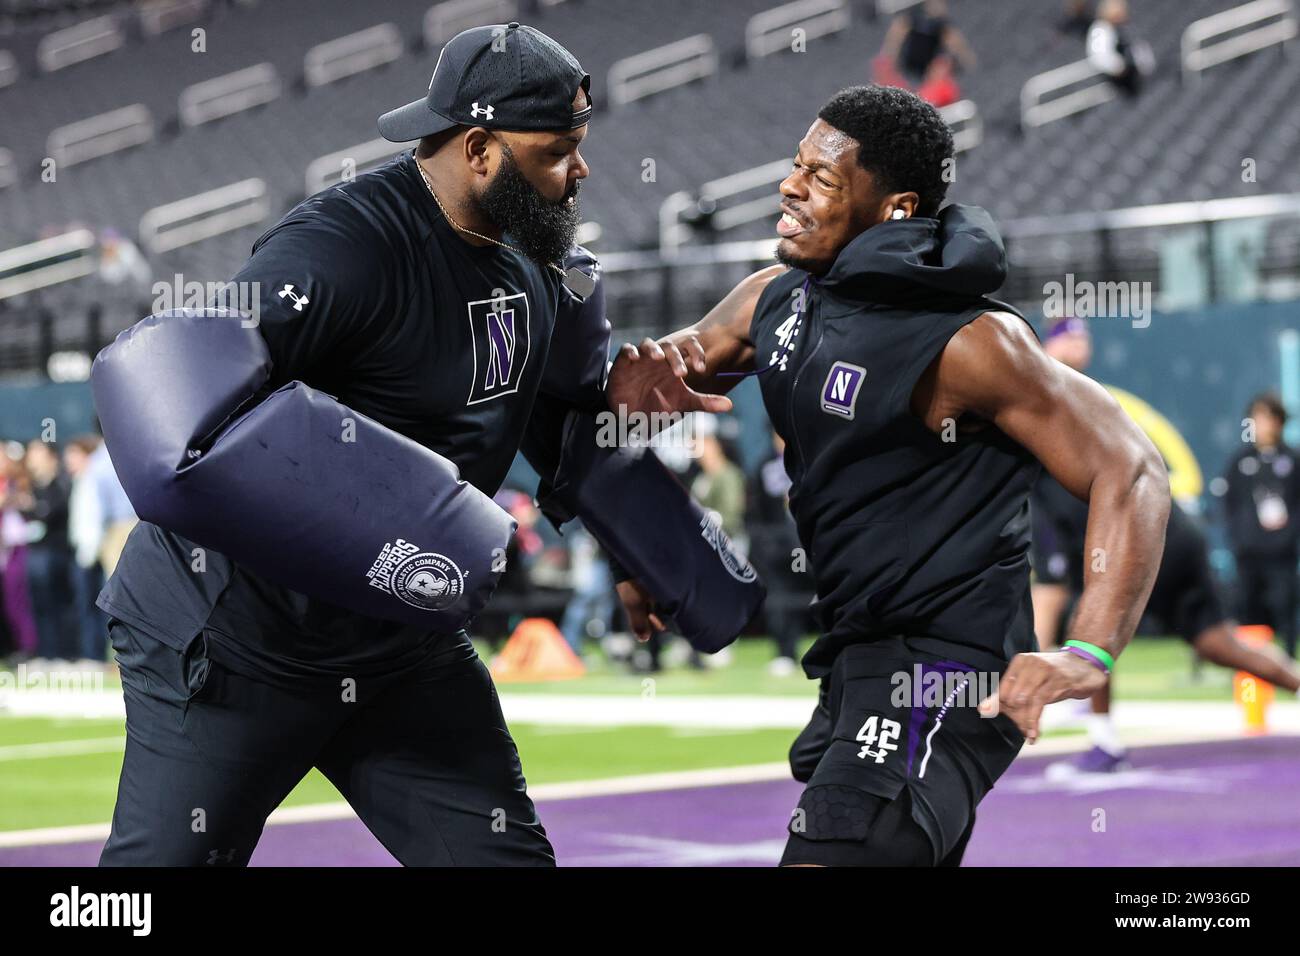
[[539, 228]]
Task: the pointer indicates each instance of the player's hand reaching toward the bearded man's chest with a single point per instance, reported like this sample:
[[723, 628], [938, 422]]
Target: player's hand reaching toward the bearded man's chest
[[652, 378]]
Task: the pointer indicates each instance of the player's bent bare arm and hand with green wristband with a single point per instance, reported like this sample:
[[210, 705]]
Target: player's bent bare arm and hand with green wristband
[[994, 373]]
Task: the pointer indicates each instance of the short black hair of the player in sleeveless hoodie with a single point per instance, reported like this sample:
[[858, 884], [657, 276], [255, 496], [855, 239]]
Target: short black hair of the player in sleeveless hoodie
[[903, 141]]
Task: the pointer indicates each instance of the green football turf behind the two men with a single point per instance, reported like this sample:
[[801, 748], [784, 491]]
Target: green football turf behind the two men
[[59, 772]]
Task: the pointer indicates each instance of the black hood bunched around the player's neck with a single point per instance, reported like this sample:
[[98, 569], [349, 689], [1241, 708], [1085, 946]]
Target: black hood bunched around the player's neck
[[959, 253]]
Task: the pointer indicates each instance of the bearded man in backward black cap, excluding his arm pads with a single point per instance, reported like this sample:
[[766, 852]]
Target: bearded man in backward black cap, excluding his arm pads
[[423, 296]]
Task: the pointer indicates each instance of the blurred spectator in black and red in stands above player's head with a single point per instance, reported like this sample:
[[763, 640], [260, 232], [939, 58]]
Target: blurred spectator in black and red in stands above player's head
[[921, 53]]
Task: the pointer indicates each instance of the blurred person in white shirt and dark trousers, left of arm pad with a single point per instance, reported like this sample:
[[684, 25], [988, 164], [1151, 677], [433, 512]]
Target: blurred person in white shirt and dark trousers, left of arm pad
[[86, 537]]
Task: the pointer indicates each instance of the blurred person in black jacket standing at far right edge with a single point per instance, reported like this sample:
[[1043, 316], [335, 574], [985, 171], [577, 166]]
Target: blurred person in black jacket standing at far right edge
[[1262, 500]]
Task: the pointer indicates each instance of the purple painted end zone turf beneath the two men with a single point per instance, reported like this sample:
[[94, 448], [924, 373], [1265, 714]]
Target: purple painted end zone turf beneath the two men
[[1215, 804]]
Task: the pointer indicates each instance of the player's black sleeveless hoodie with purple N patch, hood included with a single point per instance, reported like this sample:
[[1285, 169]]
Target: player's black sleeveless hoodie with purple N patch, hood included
[[907, 534]]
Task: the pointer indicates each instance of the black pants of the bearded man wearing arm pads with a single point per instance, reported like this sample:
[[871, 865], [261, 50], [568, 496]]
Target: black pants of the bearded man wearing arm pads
[[424, 758]]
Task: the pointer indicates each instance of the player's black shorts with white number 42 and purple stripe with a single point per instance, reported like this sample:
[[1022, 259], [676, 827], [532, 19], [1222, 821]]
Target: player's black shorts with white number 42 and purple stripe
[[895, 769]]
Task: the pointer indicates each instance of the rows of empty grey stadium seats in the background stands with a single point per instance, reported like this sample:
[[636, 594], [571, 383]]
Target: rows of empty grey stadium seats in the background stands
[[1178, 142]]
